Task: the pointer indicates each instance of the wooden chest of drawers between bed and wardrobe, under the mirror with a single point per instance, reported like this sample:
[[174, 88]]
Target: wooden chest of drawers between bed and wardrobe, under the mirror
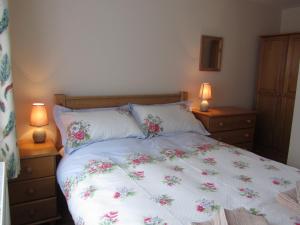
[[231, 125]]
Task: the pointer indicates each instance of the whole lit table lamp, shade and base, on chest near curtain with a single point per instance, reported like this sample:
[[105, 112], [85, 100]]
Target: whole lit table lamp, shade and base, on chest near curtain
[[38, 119]]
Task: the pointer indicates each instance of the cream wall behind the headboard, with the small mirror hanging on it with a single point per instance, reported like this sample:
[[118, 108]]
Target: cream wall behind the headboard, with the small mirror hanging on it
[[111, 47]]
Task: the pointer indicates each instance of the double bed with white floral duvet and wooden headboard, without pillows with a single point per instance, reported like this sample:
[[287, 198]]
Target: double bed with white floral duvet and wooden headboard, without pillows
[[167, 180]]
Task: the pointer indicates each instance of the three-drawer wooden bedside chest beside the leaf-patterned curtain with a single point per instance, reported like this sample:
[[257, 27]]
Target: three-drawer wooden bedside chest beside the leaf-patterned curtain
[[33, 194]]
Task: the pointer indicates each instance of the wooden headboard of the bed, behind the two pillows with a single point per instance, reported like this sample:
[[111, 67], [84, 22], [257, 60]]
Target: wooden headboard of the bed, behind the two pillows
[[85, 102]]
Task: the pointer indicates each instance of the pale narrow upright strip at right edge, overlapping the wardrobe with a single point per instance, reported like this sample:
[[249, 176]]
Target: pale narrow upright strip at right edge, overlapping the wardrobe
[[294, 151]]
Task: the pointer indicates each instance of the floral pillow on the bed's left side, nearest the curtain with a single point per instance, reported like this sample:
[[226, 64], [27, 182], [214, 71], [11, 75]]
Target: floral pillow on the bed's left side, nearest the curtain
[[79, 128]]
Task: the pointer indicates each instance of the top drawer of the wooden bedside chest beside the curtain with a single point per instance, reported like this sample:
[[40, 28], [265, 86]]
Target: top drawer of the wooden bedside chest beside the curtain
[[37, 167]]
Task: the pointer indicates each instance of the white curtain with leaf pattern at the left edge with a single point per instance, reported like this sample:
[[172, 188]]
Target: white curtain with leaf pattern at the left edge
[[9, 152]]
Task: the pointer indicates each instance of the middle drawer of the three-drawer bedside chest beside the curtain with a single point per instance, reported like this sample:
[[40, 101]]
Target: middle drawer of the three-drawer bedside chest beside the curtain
[[25, 191]]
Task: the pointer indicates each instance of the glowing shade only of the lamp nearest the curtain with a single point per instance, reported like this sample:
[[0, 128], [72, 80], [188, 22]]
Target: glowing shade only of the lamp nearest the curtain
[[38, 117]]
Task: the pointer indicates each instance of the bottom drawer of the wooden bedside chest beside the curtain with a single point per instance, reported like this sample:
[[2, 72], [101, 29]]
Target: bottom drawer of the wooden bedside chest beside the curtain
[[34, 211]]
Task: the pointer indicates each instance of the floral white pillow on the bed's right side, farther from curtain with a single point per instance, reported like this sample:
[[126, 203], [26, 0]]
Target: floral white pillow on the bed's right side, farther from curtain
[[166, 118]]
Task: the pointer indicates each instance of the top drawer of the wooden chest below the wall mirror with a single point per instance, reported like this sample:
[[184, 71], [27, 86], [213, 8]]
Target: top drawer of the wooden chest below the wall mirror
[[231, 123]]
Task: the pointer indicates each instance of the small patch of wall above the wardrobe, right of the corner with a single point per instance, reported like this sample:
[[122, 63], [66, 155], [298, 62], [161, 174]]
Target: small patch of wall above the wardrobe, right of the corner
[[290, 20]]
